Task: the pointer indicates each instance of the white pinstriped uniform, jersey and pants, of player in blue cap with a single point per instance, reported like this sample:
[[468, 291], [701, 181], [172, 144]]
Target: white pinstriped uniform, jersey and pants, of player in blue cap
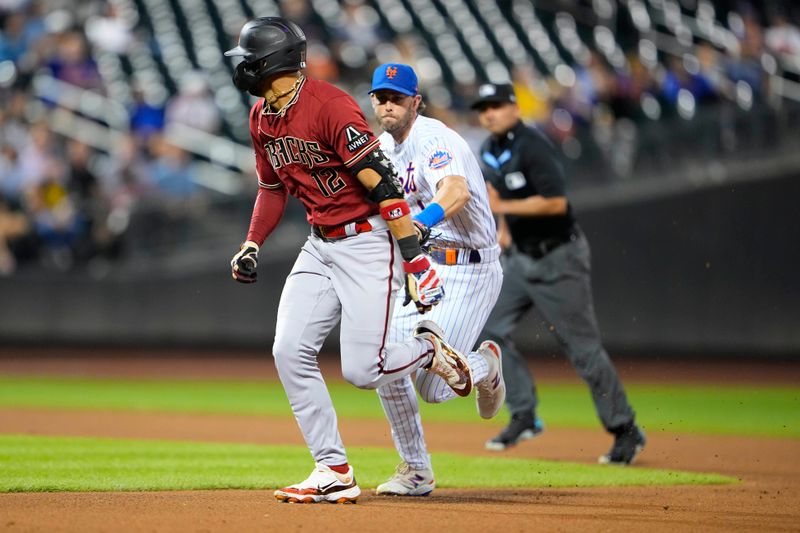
[[431, 152]]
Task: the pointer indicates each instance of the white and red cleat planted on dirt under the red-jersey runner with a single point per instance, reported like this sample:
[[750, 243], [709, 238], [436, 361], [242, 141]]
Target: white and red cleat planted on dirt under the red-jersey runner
[[323, 485]]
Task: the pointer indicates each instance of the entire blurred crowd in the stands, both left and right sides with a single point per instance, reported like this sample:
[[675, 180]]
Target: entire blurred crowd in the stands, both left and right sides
[[67, 200]]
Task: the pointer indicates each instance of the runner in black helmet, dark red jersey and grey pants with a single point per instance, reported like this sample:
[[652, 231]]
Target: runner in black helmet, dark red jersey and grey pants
[[313, 142]]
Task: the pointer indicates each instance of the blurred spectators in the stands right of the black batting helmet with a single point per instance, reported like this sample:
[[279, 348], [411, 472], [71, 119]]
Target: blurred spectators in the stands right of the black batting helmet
[[594, 109]]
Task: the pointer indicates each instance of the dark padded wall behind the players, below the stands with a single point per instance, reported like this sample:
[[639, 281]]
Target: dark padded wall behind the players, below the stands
[[709, 271]]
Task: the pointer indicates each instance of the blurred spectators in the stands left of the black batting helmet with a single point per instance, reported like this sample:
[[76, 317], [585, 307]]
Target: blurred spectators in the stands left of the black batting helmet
[[63, 202]]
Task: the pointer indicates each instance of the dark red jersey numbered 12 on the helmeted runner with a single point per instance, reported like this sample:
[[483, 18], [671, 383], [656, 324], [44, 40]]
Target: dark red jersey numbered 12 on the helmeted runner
[[310, 146]]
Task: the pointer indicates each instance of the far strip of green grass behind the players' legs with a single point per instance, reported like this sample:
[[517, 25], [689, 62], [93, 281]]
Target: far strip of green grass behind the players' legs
[[722, 410]]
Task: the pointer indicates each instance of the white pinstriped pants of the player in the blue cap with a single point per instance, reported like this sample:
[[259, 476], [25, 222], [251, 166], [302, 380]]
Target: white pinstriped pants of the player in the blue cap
[[470, 294]]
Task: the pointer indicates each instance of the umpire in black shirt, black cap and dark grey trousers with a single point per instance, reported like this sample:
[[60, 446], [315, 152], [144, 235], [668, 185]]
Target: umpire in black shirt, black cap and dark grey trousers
[[546, 265]]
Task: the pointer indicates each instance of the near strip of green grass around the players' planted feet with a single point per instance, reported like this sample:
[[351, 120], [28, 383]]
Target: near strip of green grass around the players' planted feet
[[38, 464]]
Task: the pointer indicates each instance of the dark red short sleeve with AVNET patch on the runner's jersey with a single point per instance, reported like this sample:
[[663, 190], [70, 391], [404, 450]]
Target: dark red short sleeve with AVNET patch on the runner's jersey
[[346, 130]]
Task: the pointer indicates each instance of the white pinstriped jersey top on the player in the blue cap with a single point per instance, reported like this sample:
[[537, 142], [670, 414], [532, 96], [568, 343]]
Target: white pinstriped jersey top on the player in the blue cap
[[431, 152]]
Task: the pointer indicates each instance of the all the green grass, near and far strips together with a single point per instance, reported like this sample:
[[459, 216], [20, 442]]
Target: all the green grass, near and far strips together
[[35, 463]]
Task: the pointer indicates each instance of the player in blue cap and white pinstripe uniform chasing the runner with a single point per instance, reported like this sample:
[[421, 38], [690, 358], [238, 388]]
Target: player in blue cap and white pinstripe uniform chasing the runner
[[446, 192]]
